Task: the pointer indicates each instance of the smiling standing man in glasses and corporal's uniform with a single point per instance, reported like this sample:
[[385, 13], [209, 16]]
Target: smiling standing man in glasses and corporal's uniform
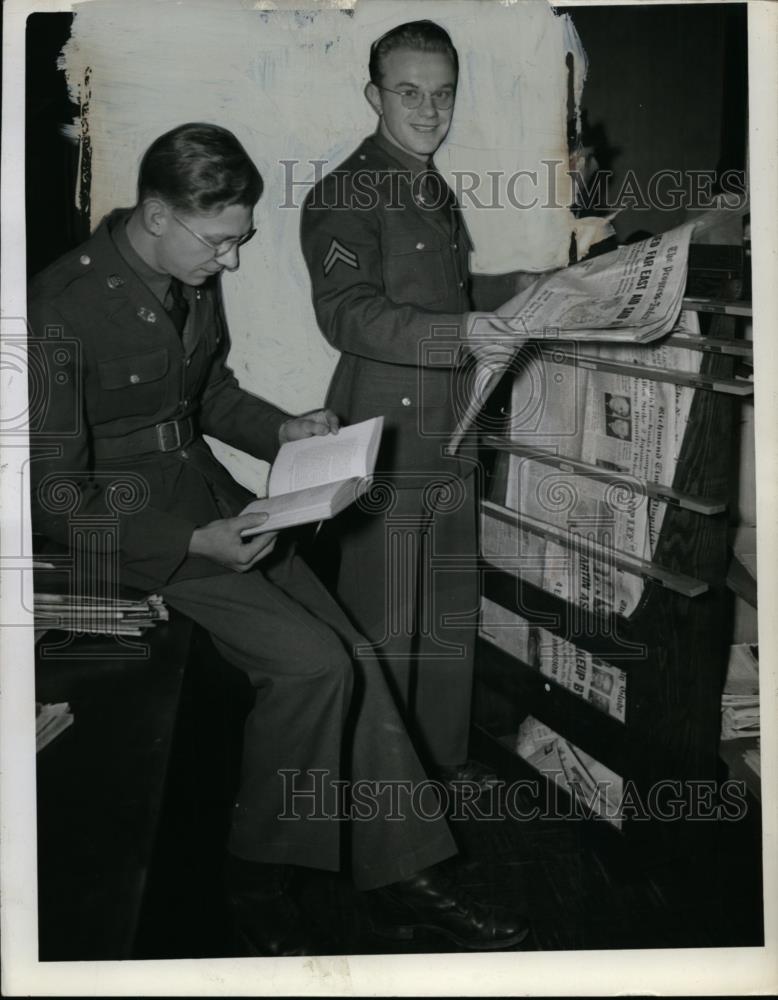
[[388, 256]]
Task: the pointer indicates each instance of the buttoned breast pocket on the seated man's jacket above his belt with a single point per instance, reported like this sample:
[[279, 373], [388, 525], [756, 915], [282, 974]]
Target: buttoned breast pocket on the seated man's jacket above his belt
[[133, 385]]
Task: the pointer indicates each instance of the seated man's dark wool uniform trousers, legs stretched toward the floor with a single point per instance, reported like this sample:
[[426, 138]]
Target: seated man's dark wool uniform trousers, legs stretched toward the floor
[[322, 721]]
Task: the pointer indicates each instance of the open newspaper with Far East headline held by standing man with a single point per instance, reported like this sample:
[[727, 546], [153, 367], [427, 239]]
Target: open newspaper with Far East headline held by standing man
[[632, 294]]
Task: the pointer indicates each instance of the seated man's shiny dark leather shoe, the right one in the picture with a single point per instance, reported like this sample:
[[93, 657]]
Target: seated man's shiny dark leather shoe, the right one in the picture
[[431, 901]]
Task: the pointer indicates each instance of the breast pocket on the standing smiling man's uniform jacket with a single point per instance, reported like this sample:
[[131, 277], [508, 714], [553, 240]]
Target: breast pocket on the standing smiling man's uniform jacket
[[414, 272]]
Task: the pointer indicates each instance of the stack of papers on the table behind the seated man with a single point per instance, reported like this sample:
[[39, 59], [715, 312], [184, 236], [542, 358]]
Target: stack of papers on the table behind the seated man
[[97, 615]]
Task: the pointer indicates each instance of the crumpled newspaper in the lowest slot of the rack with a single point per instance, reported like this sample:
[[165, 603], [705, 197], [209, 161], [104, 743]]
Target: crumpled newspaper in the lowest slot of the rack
[[596, 786]]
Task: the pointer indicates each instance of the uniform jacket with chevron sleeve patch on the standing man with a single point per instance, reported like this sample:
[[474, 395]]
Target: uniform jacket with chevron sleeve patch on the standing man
[[390, 284]]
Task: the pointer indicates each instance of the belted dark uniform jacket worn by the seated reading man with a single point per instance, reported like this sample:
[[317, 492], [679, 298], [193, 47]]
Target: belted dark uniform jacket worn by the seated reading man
[[106, 362]]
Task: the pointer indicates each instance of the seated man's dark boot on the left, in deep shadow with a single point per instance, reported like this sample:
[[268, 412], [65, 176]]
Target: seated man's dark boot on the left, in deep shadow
[[266, 921]]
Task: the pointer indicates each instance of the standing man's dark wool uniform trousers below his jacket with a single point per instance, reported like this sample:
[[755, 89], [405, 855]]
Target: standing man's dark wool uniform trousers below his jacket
[[408, 579]]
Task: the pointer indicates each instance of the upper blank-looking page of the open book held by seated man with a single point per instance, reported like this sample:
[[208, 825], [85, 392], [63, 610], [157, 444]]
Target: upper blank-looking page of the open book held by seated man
[[330, 458]]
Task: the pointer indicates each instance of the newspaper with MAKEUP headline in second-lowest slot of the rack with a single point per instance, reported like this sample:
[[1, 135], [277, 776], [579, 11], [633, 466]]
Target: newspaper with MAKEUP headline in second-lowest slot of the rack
[[590, 678]]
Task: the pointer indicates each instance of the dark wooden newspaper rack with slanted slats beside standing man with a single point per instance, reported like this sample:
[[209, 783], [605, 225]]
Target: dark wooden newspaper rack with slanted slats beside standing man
[[671, 646]]
